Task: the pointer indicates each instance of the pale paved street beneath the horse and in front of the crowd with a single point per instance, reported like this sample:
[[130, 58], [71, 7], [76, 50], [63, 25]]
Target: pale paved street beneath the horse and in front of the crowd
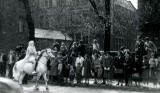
[[62, 89]]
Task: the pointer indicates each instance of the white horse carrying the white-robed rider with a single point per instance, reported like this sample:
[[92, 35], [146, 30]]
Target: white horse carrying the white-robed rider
[[20, 69]]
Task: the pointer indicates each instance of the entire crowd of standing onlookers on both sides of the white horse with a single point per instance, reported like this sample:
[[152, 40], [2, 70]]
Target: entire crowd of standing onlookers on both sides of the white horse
[[81, 62]]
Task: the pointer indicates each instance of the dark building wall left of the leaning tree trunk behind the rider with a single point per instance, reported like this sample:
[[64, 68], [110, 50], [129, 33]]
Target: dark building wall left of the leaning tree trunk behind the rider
[[13, 26]]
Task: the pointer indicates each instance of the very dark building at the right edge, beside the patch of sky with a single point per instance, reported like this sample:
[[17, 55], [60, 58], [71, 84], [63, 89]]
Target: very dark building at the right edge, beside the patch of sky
[[149, 16]]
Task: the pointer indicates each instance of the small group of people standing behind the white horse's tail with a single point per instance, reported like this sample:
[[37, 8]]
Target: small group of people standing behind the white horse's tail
[[7, 60]]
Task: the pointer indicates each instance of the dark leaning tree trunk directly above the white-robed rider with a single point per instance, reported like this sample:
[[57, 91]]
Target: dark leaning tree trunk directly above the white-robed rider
[[29, 20]]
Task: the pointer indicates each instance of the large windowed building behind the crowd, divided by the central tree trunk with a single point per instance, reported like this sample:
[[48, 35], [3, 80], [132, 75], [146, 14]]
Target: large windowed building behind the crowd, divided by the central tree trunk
[[78, 19]]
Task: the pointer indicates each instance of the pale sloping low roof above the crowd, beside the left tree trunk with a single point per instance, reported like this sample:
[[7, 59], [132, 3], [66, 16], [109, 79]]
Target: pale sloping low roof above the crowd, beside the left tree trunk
[[50, 34]]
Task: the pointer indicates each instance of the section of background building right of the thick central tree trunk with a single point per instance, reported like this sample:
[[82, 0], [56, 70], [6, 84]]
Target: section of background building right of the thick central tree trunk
[[124, 26]]
